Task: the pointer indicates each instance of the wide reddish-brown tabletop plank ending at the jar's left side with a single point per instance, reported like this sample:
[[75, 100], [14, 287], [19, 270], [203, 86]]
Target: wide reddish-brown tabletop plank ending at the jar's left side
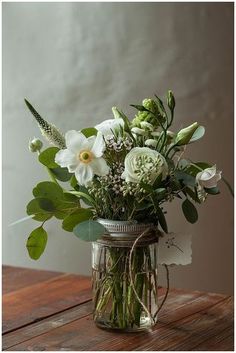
[[33, 303]]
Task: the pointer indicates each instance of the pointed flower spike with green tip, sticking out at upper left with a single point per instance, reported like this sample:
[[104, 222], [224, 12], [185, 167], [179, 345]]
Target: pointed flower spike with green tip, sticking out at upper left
[[49, 131]]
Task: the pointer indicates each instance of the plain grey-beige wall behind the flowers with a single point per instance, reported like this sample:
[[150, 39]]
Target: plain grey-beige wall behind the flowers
[[74, 61]]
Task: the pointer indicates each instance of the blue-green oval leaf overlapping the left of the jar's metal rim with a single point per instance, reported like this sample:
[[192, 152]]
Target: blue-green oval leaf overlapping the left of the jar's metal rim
[[89, 230]]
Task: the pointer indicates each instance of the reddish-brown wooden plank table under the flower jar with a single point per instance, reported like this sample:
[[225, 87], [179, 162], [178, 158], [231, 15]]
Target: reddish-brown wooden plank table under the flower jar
[[49, 311]]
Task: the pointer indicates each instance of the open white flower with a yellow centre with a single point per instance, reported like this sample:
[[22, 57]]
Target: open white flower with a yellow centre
[[83, 156]]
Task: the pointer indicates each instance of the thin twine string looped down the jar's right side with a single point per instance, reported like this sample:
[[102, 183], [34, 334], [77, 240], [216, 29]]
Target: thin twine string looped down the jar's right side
[[152, 318]]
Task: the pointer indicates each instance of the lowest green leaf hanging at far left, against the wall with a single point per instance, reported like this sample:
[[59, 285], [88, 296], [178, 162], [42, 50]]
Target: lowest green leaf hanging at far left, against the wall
[[36, 243]]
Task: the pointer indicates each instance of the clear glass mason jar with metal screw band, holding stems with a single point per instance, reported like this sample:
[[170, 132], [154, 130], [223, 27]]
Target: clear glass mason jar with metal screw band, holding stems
[[125, 282]]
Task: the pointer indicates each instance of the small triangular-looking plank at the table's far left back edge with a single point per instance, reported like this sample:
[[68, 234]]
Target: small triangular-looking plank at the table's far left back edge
[[14, 278]]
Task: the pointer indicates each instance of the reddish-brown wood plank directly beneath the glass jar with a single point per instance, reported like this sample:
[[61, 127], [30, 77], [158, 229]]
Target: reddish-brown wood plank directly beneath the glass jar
[[71, 336]]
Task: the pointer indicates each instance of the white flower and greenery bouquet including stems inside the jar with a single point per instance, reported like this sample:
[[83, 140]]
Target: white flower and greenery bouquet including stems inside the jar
[[120, 170]]
